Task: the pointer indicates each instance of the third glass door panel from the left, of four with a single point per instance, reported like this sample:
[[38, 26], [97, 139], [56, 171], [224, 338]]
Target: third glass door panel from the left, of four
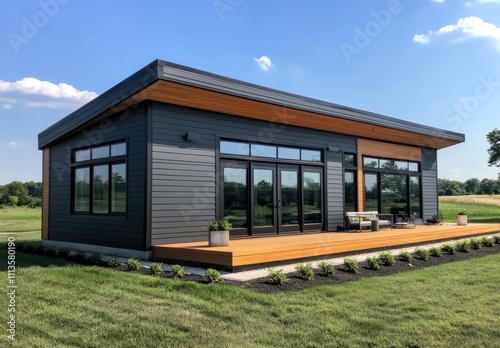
[[288, 200]]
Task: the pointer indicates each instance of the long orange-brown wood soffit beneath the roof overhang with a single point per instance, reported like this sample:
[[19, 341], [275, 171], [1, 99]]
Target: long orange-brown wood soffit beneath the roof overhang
[[179, 94]]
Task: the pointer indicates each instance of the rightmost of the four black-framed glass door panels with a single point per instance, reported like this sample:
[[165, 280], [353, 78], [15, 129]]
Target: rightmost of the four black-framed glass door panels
[[312, 199]]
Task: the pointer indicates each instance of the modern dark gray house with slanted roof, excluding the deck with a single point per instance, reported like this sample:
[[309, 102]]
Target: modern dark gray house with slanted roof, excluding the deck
[[156, 157]]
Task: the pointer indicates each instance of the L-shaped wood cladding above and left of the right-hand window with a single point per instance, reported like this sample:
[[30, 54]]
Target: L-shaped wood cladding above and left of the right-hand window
[[380, 149]]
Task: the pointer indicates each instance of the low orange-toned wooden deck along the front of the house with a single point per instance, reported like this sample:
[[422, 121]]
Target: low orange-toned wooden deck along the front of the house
[[262, 251]]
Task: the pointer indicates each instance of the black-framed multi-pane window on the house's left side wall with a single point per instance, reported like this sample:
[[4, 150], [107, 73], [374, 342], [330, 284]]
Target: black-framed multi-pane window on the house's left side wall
[[100, 179]]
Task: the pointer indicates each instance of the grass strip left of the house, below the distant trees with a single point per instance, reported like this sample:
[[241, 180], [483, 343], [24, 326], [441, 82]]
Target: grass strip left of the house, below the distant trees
[[20, 219]]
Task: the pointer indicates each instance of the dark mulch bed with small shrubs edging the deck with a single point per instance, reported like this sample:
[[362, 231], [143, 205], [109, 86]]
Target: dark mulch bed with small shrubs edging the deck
[[341, 275]]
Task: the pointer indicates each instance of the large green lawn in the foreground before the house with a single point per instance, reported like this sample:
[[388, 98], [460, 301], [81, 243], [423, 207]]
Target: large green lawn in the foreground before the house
[[60, 304]]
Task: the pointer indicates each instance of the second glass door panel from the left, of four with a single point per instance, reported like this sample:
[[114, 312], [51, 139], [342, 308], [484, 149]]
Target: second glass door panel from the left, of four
[[264, 217]]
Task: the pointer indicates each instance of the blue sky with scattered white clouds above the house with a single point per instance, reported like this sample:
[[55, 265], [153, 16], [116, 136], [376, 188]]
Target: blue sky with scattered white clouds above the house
[[430, 62]]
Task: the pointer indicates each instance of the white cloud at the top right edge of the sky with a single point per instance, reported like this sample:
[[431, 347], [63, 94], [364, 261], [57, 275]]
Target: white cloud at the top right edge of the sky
[[468, 27]]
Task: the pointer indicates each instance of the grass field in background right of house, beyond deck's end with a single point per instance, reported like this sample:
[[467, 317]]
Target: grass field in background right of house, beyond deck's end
[[480, 208]]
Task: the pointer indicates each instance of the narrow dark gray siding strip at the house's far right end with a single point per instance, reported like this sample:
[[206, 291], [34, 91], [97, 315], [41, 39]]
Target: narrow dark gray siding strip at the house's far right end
[[429, 182]]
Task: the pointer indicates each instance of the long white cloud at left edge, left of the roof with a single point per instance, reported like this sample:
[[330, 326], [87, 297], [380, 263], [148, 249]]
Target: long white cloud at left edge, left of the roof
[[33, 93]]
